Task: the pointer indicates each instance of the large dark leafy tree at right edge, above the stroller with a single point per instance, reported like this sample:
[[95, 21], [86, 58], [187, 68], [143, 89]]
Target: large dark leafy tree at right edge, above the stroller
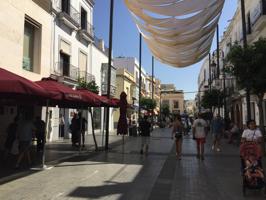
[[249, 67]]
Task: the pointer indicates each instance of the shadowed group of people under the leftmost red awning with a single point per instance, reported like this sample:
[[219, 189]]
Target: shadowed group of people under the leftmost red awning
[[20, 134]]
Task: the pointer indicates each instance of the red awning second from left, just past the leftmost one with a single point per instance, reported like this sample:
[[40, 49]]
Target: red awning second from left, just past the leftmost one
[[68, 97]]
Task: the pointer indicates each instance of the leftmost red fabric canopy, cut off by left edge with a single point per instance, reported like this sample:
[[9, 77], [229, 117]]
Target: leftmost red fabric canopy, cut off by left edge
[[12, 85]]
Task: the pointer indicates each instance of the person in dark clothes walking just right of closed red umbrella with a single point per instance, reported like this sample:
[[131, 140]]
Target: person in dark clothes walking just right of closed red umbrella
[[145, 127]]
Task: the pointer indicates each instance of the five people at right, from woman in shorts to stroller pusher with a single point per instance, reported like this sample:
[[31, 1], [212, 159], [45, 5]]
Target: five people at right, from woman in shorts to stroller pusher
[[200, 129]]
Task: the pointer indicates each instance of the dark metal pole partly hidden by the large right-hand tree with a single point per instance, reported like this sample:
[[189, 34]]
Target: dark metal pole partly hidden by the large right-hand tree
[[243, 14]]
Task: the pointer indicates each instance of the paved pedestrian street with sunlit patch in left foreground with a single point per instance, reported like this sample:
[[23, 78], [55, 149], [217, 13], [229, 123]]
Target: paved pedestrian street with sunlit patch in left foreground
[[123, 173]]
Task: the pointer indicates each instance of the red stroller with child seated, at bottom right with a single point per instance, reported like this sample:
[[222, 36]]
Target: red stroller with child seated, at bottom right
[[252, 171]]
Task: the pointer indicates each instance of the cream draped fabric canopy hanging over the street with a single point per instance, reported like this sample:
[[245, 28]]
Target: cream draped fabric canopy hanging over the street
[[178, 32]]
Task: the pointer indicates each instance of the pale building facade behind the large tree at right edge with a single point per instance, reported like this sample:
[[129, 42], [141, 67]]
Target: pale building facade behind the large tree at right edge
[[255, 12]]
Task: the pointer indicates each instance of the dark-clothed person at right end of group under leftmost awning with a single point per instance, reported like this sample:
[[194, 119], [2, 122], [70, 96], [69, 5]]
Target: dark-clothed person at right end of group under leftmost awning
[[40, 133]]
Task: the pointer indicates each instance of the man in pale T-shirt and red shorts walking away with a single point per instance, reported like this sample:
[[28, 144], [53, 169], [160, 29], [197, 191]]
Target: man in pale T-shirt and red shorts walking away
[[199, 130]]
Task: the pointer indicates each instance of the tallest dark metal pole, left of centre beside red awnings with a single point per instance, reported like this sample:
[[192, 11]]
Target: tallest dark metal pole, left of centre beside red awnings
[[109, 72]]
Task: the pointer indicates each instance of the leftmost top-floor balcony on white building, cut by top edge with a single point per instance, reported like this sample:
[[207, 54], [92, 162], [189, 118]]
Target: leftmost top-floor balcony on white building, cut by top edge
[[67, 14]]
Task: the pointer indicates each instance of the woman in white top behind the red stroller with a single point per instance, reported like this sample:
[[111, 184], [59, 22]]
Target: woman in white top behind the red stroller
[[252, 133]]
